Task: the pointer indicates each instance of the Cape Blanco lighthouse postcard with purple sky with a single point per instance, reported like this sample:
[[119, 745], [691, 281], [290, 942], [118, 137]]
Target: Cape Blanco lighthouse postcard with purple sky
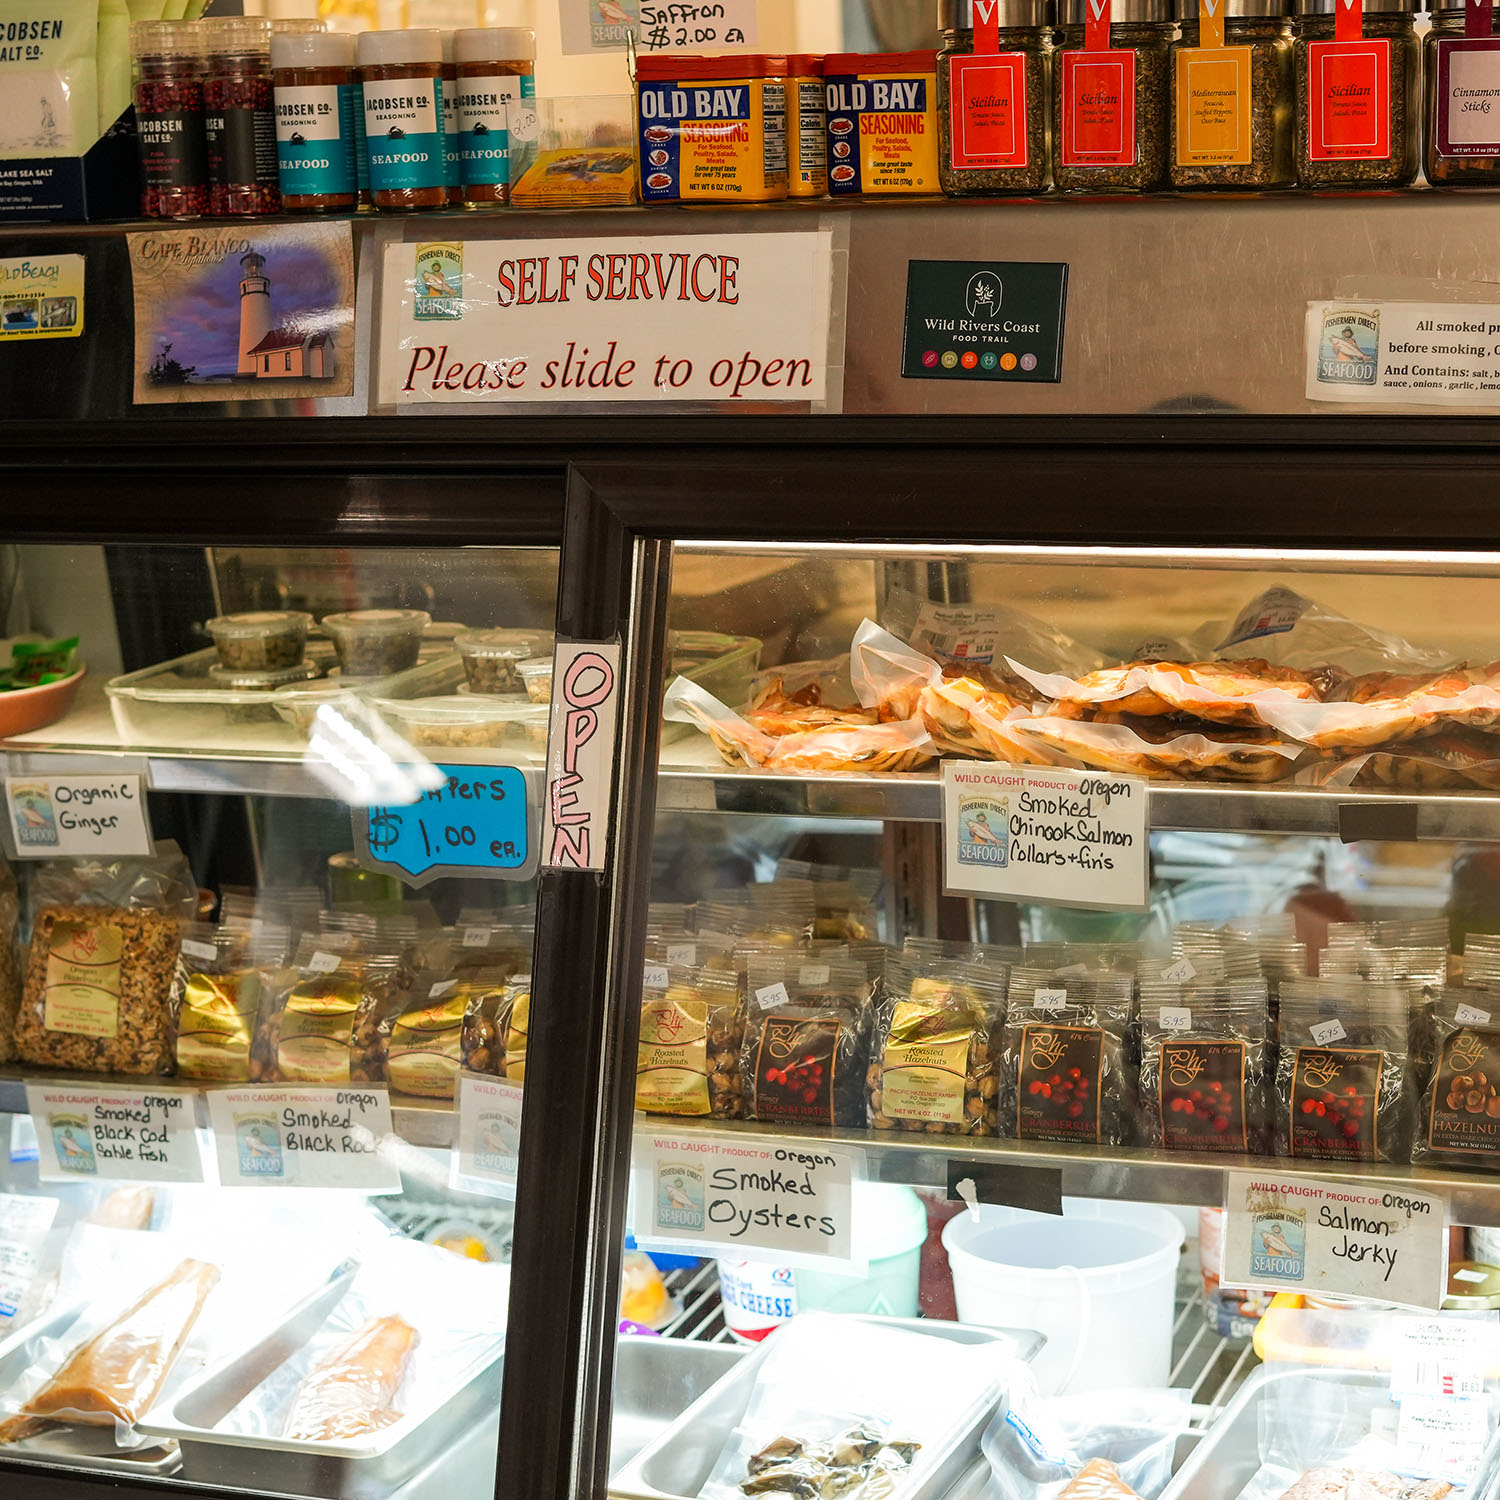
[[244, 313]]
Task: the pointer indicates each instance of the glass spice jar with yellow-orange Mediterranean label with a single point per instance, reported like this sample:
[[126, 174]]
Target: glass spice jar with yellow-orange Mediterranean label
[[1232, 97]]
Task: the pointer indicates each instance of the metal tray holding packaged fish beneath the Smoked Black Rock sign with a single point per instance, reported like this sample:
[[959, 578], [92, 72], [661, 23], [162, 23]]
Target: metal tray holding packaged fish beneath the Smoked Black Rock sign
[[359, 1469]]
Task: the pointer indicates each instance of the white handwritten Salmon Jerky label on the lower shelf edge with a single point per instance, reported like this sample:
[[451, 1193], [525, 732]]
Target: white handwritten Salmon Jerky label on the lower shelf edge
[[1292, 1234]]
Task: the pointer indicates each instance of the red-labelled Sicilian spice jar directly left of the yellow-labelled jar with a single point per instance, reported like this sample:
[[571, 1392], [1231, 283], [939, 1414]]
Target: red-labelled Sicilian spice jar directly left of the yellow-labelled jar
[[1109, 110]]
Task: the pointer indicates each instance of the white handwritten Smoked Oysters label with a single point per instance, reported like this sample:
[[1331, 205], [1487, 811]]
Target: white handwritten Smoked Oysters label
[[749, 1199]]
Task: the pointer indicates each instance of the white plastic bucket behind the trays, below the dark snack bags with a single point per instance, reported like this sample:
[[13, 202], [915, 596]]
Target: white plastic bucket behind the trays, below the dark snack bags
[[1099, 1283]]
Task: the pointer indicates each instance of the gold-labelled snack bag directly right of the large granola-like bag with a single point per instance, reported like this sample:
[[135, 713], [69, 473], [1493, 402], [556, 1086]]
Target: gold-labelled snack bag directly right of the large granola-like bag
[[223, 976]]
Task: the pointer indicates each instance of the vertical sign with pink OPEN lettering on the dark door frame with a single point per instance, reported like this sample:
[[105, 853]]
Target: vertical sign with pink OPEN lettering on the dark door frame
[[581, 755]]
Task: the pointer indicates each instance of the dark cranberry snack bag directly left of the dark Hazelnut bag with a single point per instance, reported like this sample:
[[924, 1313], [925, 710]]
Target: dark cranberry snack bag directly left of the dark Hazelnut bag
[[1343, 1075]]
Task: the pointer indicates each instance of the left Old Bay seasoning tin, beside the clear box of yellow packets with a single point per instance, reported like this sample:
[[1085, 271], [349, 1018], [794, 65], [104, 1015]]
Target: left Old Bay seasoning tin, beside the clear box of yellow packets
[[712, 128]]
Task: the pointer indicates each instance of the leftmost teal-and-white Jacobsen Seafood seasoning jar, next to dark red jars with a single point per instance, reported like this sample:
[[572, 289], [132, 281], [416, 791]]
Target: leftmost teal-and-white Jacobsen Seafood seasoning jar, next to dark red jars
[[314, 85]]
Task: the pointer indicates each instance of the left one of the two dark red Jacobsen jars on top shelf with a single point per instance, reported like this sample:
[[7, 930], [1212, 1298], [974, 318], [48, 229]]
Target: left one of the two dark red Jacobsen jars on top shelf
[[169, 119]]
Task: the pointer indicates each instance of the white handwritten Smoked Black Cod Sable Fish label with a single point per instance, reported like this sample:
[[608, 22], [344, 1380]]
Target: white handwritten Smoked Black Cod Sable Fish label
[[112, 1135]]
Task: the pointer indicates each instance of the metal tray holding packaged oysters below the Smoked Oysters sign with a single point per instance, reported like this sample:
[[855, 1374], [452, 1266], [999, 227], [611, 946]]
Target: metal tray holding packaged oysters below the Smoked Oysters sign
[[677, 1465]]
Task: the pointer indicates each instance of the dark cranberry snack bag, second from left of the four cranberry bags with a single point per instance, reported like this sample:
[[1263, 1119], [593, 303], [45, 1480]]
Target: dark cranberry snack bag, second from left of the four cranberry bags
[[1066, 1070]]
